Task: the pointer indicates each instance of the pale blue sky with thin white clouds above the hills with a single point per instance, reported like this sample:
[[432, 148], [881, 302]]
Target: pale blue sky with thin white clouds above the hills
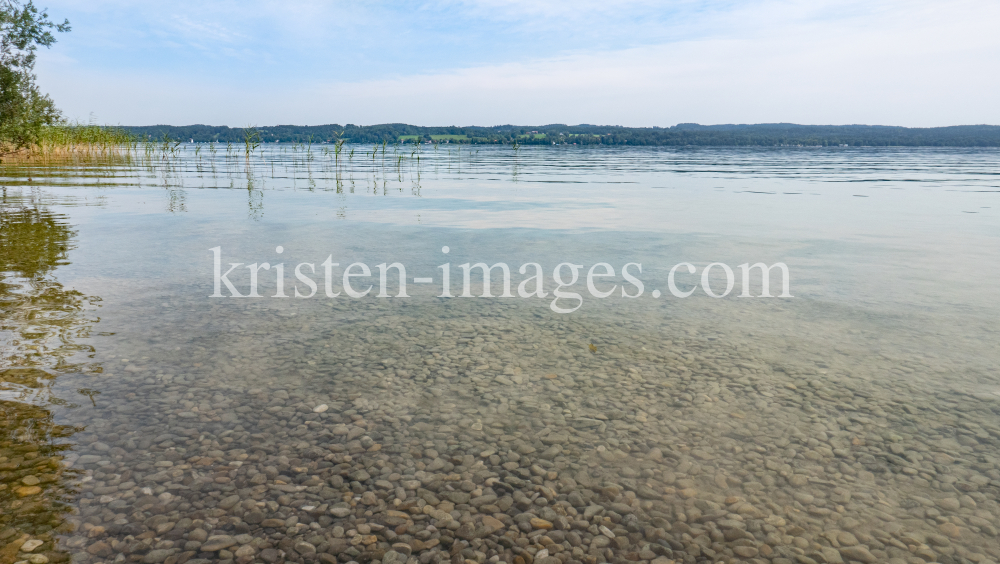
[[916, 63]]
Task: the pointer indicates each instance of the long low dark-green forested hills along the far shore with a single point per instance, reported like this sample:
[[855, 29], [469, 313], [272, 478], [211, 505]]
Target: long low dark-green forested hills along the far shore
[[765, 135]]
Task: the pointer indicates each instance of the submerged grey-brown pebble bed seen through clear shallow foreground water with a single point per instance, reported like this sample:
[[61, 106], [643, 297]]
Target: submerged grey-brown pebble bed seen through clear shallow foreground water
[[485, 434]]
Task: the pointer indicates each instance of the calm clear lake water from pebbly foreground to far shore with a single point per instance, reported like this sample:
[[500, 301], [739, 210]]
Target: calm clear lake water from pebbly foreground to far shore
[[855, 421]]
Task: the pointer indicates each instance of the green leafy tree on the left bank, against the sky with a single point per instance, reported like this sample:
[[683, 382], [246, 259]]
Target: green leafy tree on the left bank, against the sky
[[24, 110]]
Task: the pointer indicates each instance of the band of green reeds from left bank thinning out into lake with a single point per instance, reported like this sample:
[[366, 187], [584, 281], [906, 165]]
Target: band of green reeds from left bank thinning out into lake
[[115, 149]]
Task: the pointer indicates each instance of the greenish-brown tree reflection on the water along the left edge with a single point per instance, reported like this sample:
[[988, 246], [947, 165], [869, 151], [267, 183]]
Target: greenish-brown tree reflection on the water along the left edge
[[40, 321]]
